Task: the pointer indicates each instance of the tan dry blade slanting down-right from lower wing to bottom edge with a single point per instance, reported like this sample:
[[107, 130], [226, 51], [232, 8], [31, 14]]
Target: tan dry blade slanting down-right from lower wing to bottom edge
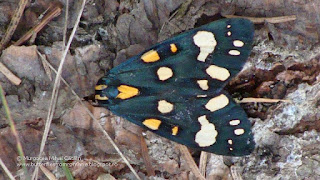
[[193, 166]]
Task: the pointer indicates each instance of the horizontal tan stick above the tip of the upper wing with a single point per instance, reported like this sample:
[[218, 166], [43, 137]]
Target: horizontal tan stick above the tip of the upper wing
[[261, 20]]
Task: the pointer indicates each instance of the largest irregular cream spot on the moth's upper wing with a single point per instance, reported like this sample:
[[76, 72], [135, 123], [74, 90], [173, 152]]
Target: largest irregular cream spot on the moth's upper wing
[[206, 42]]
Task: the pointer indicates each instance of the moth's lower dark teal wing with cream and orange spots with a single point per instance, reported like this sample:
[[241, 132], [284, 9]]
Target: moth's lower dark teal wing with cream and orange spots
[[213, 124]]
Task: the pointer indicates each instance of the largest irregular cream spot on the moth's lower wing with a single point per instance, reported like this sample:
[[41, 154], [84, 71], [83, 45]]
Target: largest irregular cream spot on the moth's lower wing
[[207, 134]]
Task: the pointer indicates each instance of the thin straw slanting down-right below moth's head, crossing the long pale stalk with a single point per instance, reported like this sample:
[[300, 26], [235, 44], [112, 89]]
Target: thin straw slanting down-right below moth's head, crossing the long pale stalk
[[95, 120]]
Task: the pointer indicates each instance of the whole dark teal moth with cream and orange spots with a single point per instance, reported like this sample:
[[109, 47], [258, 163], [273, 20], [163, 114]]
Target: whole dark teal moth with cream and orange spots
[[175, 88]]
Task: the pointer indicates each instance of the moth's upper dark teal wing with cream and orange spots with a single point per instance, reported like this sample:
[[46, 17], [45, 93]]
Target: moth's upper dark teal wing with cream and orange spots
[[203, 59]]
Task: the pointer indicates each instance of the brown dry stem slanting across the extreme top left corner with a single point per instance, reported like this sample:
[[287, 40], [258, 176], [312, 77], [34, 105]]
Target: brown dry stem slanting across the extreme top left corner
[[13, 24]]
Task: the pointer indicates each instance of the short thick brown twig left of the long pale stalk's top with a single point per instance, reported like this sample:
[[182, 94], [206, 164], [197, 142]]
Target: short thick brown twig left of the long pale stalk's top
[[52, 14]]
